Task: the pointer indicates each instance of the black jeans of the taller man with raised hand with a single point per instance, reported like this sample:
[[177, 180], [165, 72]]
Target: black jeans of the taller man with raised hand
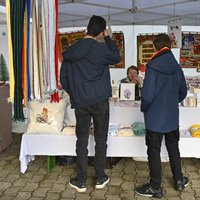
[[100, 114]]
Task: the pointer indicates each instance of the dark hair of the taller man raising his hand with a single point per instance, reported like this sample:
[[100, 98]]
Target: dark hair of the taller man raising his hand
[[97, 24]]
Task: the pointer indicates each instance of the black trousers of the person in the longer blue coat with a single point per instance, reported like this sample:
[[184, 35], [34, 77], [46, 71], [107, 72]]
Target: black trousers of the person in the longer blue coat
[[153, 142]]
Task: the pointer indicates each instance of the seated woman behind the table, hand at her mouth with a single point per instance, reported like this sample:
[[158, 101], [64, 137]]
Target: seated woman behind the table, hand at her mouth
[[132, 77]]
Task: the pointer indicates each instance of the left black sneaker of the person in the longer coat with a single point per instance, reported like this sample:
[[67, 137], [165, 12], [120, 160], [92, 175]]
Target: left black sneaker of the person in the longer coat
[[147, 191]]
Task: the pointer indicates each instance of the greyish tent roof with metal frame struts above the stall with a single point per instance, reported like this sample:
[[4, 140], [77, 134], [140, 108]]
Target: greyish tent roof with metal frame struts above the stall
[[76, 13]]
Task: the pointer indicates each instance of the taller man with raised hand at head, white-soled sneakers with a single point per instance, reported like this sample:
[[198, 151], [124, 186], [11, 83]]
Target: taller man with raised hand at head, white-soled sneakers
[[85, 76]]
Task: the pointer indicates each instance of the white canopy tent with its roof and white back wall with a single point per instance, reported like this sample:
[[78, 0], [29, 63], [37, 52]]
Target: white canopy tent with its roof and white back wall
[[133, 17]]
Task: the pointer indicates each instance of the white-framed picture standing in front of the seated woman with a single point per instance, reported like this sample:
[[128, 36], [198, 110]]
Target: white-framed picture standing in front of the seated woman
[[127, 91]]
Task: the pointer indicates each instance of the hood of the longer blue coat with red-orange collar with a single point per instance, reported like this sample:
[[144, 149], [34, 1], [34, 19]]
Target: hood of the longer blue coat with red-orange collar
[[165, 64]]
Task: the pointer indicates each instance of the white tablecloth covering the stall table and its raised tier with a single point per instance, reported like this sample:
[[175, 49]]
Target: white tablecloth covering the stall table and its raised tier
[[39, 144]]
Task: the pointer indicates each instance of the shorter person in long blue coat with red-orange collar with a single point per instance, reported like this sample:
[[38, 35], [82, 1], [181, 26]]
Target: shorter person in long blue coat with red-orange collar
[[164, 87]]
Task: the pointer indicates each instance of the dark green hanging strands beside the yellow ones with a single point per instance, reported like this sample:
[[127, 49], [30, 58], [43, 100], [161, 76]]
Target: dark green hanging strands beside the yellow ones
[[17, 9]]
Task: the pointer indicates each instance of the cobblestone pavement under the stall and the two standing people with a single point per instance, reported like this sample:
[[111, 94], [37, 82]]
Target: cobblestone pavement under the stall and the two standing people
[[37, 184]]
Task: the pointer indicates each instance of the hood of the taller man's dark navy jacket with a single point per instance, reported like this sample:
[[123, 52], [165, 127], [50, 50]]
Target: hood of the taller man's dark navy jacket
[[78, 50]]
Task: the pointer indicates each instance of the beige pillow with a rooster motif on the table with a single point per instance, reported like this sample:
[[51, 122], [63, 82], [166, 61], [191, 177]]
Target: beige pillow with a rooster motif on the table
[[46, 118]]
